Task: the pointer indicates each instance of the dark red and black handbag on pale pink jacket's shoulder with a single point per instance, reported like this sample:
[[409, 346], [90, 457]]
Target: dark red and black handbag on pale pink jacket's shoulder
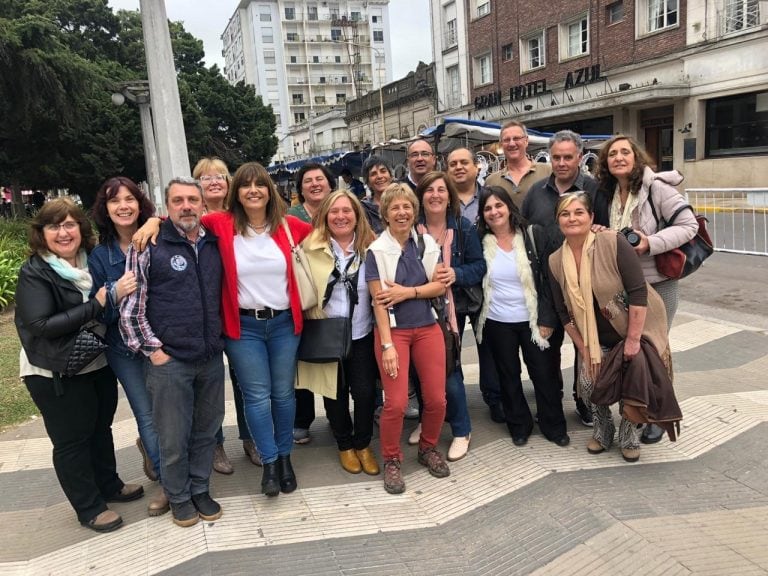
[[686, 259]]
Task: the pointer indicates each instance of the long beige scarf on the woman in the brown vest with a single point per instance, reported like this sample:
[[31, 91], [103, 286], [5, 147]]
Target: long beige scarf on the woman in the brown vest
[[579, 288]]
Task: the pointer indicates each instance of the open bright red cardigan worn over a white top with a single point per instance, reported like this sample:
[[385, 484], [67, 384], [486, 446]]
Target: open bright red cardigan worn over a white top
[[222, 224]]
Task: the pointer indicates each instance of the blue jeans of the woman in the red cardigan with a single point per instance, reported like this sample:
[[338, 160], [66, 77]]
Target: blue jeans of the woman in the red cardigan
[[264, 359]]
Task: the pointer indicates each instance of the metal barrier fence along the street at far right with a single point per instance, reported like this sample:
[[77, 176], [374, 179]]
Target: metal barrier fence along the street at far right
[[738, 217]]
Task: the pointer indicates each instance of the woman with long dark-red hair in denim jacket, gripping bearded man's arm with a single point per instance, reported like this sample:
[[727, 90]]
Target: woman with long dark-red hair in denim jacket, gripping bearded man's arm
[[119, 209]]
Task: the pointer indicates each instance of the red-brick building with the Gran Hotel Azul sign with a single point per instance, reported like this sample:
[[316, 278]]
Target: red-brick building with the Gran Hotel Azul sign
[[688, 78]]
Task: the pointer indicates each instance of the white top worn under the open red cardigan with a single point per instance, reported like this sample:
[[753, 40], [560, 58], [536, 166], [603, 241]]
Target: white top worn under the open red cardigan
[[262, 280]]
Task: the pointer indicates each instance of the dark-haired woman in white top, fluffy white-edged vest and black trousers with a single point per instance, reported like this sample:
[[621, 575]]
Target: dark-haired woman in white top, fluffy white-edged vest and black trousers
[[518, 316]]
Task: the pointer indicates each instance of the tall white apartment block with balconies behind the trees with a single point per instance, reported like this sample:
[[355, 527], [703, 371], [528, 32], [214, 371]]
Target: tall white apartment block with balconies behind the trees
[[307, 58]]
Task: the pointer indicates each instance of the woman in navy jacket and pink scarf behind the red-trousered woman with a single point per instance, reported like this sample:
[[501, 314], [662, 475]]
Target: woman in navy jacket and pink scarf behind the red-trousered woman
[[464, 266]]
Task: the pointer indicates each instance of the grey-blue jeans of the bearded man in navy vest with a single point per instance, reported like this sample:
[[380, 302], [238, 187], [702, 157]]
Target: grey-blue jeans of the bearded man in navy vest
[[187, 409]]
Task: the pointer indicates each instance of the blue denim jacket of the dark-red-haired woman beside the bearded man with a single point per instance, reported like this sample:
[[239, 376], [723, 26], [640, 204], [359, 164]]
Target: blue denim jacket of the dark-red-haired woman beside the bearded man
[[106, 263]]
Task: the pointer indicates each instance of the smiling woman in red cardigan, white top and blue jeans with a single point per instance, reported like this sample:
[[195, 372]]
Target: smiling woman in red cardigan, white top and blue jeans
[[262, 315]]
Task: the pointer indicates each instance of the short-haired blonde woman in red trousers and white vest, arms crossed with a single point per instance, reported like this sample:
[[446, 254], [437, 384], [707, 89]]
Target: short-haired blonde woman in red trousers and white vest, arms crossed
[[400, 277]]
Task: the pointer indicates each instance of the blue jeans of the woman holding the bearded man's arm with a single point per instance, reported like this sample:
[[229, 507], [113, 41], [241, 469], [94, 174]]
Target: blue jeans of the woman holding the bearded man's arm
[[131, 371]]
